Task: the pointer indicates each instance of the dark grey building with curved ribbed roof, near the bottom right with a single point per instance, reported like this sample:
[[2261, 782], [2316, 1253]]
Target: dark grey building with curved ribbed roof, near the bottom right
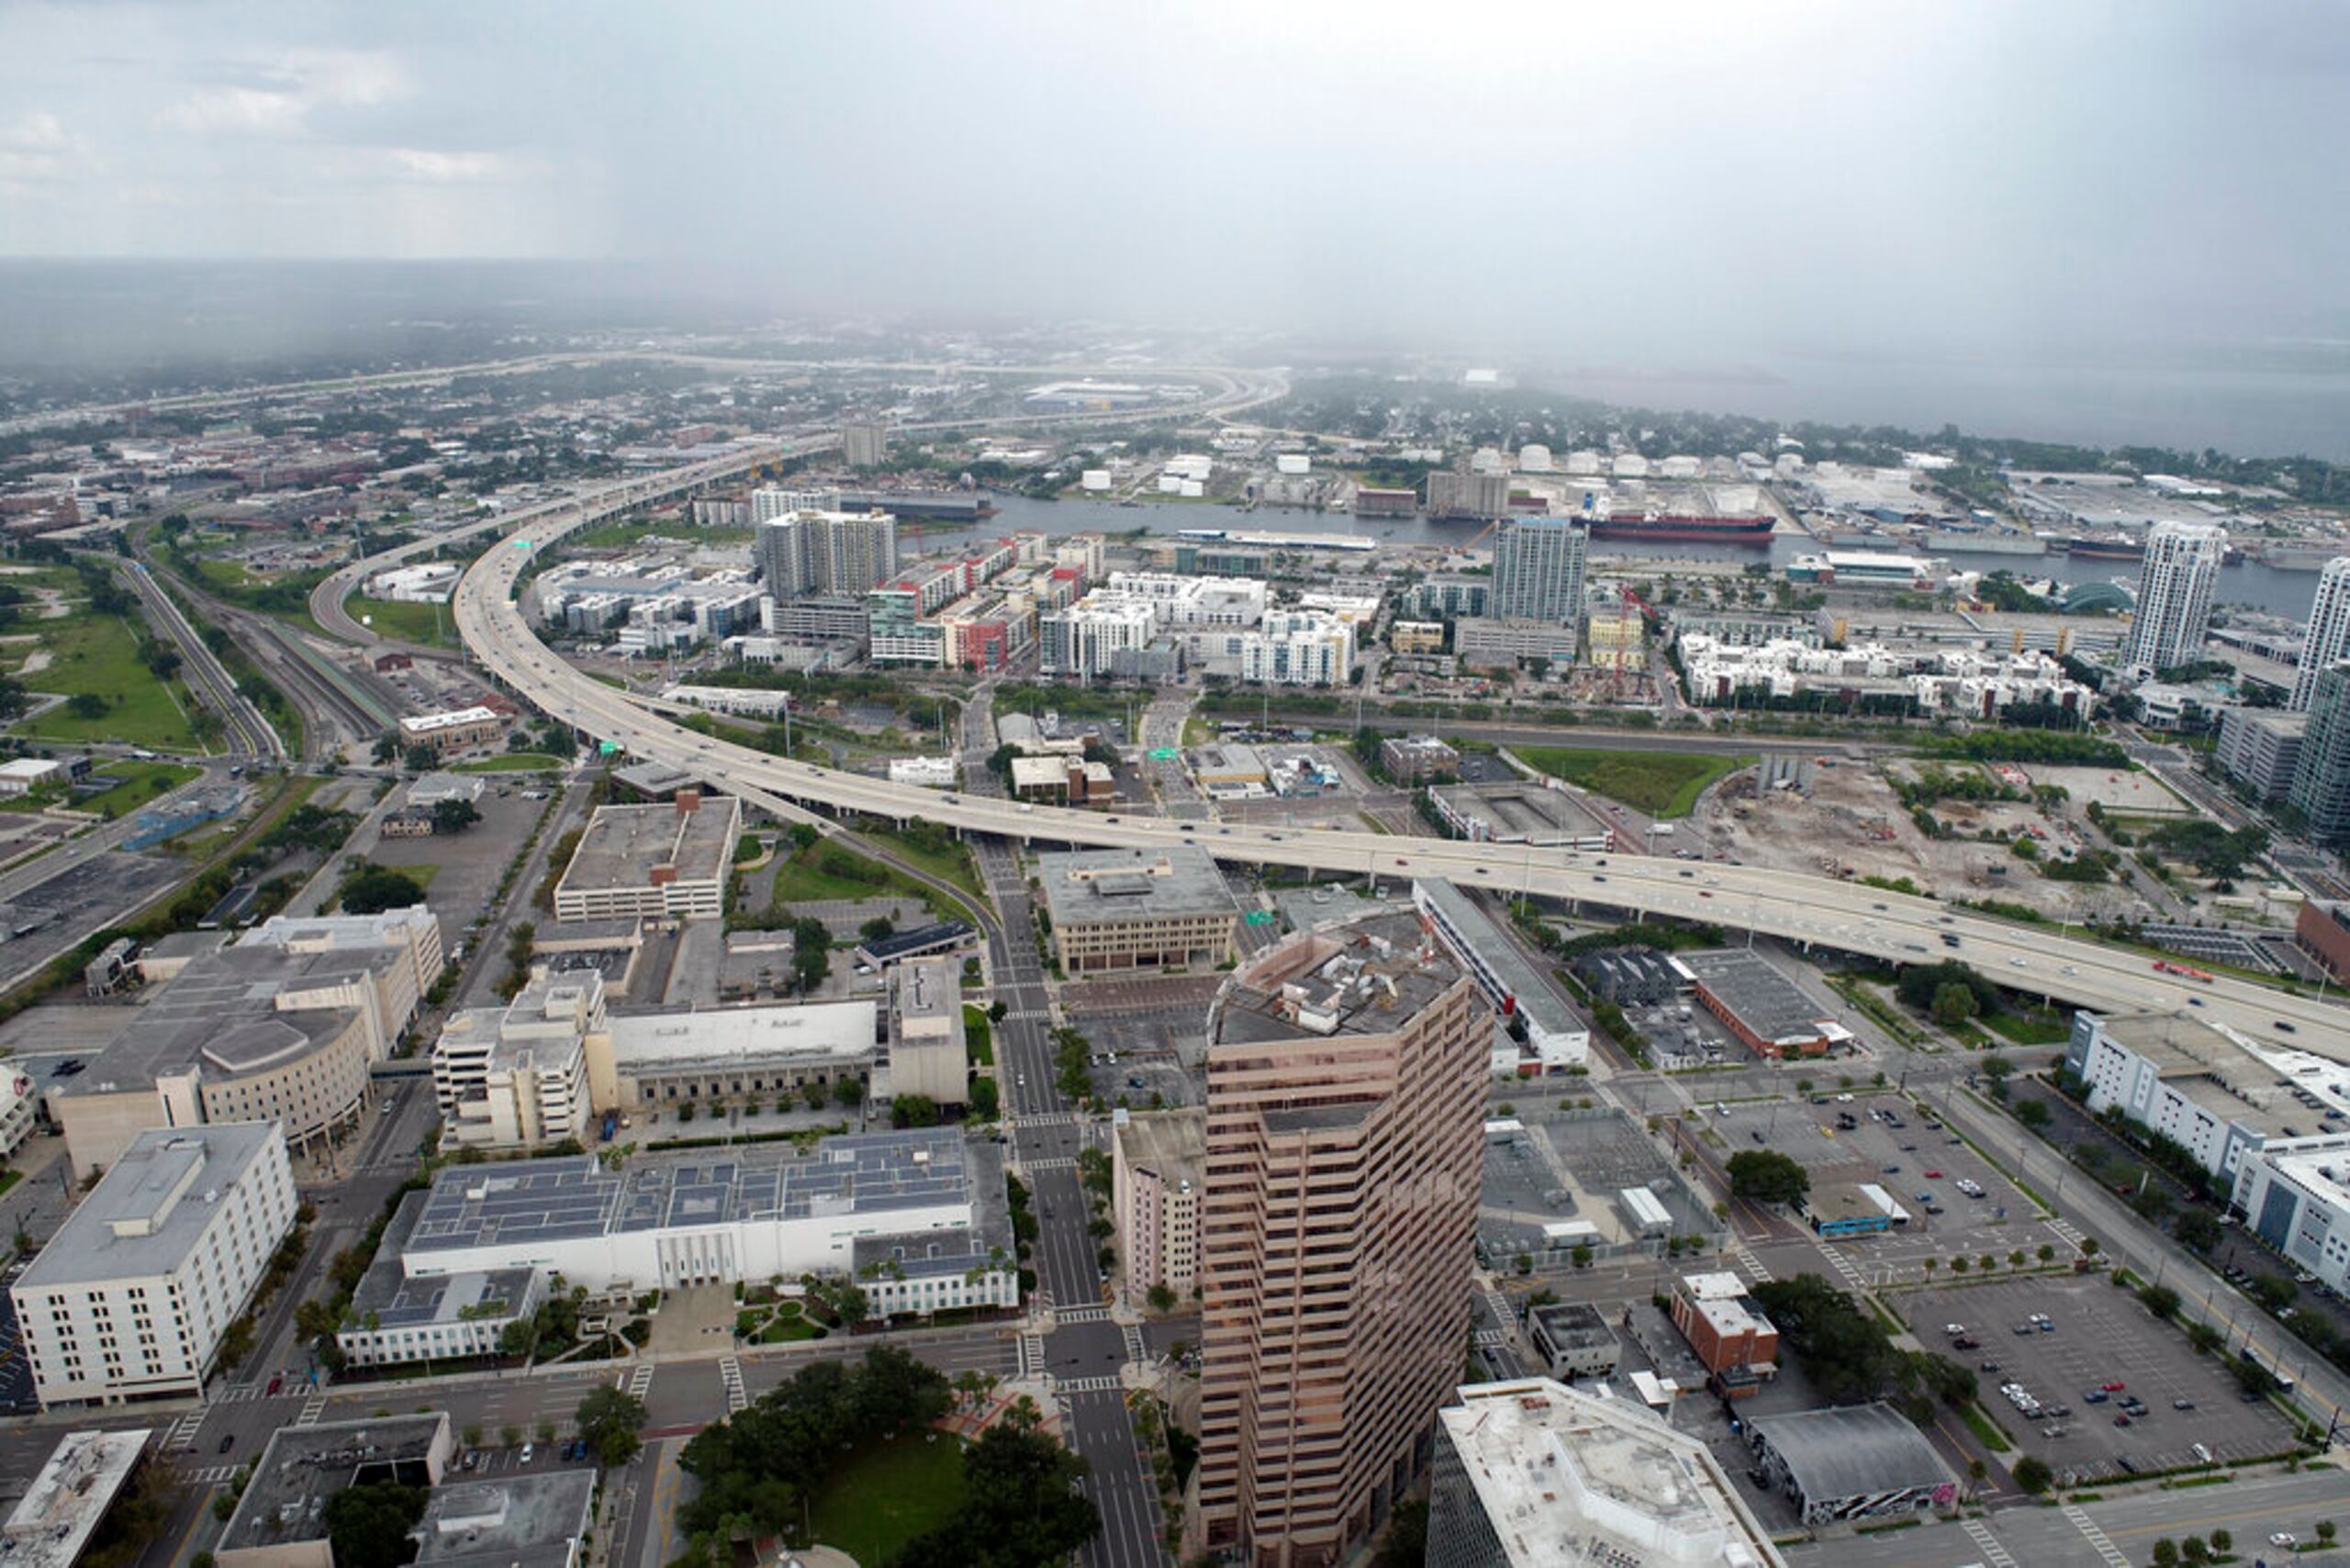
[[1851, 1463]]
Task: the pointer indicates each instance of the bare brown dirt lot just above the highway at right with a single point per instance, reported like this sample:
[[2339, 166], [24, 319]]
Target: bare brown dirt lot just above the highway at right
[[1851, 824]]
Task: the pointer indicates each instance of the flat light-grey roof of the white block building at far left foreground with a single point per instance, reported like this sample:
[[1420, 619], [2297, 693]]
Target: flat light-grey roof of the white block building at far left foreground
[[152, 1205]]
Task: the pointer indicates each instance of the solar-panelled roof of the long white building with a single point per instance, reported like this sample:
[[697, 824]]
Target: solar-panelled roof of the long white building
[[556, 1200]]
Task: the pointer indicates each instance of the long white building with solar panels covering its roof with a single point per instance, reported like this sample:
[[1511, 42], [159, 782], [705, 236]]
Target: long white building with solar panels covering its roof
[[925, 1212]]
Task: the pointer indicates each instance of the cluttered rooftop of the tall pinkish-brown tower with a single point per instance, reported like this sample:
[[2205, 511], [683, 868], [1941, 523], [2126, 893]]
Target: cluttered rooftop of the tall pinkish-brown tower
[[1369, 977]]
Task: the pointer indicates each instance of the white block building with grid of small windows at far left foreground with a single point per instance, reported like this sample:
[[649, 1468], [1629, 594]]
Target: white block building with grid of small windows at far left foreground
[[137, 1287]]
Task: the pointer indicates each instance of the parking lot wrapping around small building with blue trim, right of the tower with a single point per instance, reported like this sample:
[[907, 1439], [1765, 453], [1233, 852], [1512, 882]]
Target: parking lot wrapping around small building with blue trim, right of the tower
[[1916, 1162]]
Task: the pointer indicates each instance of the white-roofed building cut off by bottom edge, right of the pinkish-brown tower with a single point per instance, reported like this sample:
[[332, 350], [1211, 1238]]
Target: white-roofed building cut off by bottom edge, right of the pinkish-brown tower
[[1536, 1475]]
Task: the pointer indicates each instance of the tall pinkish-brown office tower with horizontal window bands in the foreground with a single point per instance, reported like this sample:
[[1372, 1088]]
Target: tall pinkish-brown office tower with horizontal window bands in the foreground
[[1338, 1228]]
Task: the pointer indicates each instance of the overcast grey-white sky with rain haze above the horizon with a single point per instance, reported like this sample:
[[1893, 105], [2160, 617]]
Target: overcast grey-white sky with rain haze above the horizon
[[1663, 173]]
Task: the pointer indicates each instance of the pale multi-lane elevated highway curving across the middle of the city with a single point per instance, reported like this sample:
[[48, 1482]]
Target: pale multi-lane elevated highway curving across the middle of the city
[[1813, 911]]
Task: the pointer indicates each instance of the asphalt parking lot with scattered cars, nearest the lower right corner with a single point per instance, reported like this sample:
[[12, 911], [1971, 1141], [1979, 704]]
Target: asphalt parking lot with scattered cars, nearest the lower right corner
[[2100, 1336]]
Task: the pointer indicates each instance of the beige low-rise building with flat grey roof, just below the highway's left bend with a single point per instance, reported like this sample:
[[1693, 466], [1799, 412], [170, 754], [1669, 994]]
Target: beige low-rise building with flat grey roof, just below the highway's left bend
[[662, 862]]
